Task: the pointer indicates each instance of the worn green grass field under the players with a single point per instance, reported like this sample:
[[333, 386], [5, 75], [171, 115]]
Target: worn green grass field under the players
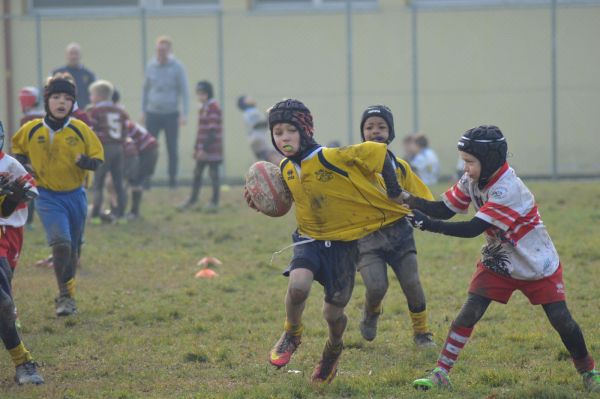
[[147, 328]]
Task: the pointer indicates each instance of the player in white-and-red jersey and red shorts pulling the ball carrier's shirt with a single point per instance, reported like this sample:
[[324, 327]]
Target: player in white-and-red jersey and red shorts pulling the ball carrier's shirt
[[518, 255]]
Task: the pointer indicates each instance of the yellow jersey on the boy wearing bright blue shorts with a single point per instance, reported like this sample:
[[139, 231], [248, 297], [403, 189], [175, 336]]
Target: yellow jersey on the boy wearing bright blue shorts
[[53, 156]]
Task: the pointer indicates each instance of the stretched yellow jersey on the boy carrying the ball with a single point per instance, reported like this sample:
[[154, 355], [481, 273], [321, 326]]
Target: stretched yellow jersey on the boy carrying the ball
[[337, 192]]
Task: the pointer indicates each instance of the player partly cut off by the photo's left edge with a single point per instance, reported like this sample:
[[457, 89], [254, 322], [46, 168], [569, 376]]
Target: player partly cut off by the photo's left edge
[[16, 188]]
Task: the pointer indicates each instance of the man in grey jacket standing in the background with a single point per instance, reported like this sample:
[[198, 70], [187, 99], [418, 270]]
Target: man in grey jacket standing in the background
[[165, 85]]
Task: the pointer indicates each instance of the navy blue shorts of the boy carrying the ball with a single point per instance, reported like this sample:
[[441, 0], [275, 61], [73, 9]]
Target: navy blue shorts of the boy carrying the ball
[[333, 264]]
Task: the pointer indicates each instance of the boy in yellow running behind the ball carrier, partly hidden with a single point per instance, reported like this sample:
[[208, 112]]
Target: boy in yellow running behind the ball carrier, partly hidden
[[393, 244]]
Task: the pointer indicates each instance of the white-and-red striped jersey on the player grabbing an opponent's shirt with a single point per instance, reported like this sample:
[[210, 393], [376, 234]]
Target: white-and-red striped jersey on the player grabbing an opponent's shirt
[[518, 244]]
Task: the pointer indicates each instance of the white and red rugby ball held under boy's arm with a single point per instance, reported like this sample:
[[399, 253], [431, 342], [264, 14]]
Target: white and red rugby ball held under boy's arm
[[267, 189]]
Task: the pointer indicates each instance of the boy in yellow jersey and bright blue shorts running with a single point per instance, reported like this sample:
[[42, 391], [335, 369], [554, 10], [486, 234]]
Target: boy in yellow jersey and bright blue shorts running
[[61, 151]]
